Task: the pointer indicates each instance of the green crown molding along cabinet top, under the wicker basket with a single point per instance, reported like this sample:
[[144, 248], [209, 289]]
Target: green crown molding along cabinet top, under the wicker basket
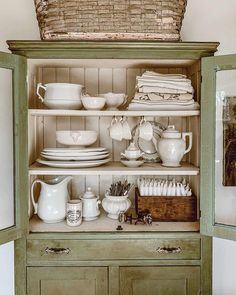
[[113, 49]]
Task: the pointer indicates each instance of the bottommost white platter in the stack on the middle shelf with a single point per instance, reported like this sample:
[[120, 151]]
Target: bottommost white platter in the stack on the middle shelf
[[73, 164]]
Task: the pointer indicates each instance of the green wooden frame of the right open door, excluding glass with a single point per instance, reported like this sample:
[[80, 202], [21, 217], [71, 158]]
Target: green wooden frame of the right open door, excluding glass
[[210, 66]]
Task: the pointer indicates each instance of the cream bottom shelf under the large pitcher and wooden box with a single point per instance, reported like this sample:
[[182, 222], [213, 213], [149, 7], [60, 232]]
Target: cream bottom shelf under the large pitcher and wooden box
[[105, 224]]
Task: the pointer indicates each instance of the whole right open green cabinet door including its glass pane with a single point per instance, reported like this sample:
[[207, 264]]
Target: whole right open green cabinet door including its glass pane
[[218, 147]]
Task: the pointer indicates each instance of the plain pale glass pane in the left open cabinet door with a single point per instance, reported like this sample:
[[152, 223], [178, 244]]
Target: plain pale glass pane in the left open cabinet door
[[6, 151]]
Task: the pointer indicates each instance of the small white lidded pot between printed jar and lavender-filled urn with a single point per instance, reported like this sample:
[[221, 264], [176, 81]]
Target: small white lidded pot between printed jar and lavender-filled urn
[[90, 204]]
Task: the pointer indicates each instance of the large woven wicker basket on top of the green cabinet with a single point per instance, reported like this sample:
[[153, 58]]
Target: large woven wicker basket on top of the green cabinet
[[110, 19]]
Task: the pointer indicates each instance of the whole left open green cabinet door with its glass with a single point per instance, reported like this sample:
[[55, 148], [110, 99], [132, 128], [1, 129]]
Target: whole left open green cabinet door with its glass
[[12, 145]]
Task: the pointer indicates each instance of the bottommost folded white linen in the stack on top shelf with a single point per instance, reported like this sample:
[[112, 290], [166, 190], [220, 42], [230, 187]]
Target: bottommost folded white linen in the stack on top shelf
[[159, 107]]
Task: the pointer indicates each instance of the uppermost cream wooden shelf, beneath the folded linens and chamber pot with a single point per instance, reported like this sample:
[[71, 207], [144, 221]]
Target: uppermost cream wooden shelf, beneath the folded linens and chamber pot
[[85, 113]]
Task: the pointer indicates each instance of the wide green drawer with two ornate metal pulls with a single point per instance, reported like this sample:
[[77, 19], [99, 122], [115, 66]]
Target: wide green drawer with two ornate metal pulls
[[82, 250]]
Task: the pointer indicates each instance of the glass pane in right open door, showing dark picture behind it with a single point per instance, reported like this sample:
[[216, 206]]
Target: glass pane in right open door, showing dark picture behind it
[[225, 158]]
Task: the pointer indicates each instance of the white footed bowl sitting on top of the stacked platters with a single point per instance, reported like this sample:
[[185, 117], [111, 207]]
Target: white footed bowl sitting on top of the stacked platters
[[77, 137]]
